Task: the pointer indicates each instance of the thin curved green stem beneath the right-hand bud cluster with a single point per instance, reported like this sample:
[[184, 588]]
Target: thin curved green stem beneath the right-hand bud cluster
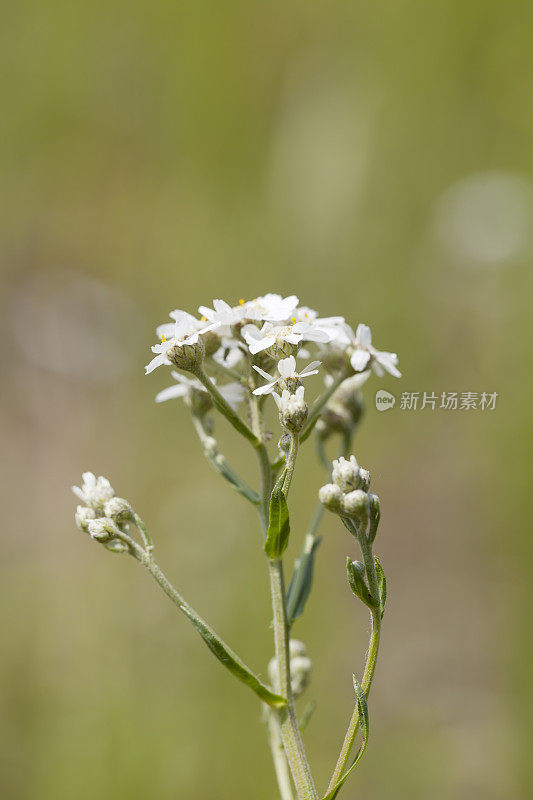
[[368, 674]]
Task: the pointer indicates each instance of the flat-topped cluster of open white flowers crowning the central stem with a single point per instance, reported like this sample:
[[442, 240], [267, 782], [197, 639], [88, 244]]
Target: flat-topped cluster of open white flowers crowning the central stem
[[266, 330]]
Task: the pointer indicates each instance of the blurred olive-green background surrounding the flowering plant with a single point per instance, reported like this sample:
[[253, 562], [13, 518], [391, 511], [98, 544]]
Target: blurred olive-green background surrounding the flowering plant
[[376, 160]]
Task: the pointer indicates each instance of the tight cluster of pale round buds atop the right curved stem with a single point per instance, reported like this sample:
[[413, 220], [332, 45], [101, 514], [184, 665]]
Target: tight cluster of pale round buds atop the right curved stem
[[348, 494]]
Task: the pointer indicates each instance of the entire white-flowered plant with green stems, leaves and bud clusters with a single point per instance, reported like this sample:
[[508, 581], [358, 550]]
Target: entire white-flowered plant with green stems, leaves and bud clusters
[[224, 359]]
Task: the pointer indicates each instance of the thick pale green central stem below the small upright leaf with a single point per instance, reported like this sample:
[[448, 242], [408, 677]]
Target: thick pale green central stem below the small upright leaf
[[290, 732]]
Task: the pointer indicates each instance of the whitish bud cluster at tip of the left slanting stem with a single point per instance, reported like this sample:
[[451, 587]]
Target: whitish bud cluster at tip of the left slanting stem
[[104, 516]]
